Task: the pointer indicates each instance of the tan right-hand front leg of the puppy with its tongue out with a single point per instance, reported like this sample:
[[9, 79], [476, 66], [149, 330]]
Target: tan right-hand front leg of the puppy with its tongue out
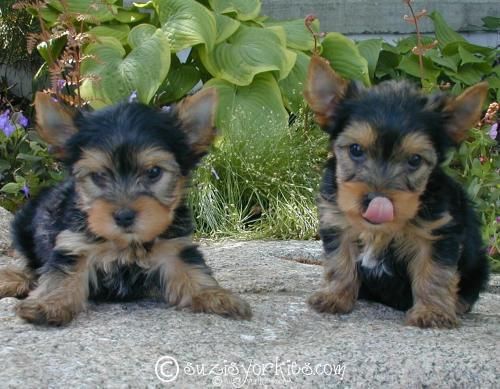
[[434, 289]]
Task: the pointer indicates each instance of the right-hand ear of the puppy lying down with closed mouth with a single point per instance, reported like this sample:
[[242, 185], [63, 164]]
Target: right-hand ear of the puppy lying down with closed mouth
[[197, 115]]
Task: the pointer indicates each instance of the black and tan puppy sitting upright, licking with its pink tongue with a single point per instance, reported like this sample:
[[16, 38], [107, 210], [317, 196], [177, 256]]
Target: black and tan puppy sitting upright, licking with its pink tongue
[[395, 228]]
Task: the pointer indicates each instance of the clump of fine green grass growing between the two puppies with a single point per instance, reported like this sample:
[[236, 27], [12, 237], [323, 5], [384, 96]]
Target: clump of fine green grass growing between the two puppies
[[260, 184]]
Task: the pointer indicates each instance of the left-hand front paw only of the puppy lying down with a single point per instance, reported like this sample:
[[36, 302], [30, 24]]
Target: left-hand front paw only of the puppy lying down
[[43, 313]]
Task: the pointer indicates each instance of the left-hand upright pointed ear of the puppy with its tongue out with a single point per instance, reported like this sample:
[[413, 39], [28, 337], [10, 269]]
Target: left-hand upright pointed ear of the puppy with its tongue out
[[324, 90]]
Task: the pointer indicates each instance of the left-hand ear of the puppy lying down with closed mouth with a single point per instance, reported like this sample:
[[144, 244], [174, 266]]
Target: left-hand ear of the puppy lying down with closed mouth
[[54, 122]]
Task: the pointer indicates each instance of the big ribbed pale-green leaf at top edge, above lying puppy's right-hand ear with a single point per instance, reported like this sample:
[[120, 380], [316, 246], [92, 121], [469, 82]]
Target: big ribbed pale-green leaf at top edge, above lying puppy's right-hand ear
[[186, 23]]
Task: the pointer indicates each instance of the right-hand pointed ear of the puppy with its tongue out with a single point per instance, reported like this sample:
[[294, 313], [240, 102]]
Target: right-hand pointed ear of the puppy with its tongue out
[[465, 111]]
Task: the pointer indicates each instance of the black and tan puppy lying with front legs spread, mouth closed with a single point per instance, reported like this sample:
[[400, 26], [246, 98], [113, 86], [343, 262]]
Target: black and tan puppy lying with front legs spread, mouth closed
[[118, 227]]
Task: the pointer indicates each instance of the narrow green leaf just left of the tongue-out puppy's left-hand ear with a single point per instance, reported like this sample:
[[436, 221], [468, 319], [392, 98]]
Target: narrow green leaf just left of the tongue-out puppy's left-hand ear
[[292, 86]]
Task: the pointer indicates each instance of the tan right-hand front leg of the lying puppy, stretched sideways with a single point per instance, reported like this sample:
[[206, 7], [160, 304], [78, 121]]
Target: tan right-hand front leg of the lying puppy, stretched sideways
[[190, 285]]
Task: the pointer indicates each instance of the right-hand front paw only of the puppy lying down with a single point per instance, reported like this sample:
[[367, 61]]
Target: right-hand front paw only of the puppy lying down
[[221, 302]]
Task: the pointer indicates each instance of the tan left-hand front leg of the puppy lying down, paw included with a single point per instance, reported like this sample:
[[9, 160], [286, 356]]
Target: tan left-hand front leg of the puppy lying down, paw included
[[59, 297]]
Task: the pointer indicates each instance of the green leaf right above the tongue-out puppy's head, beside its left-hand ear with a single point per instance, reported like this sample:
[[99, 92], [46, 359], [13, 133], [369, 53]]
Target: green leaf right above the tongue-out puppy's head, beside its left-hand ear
[[345, 57]]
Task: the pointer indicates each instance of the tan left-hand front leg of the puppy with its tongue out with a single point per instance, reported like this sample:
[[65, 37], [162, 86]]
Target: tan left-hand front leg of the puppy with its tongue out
[[341, 285]]
